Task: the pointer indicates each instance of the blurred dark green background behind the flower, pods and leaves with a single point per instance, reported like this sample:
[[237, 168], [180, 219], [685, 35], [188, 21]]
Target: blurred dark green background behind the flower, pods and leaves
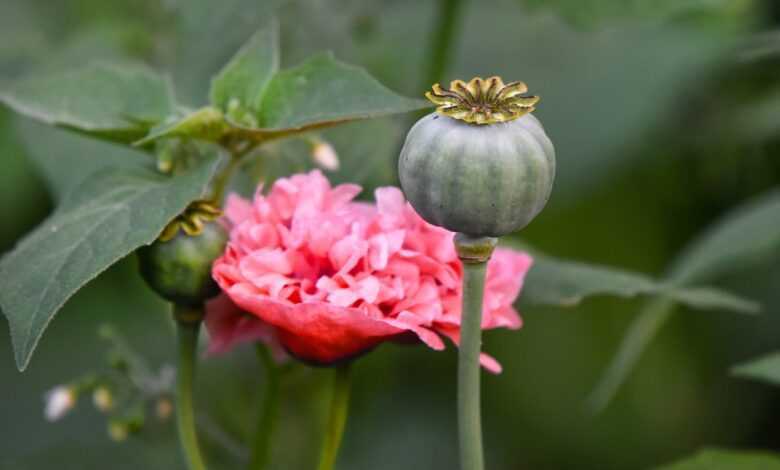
[[665, 114]]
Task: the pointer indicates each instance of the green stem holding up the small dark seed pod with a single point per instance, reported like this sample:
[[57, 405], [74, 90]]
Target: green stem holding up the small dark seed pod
[[188, 326]]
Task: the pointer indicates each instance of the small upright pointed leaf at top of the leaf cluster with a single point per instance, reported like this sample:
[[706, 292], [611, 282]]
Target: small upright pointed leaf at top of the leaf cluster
[[244, 79]]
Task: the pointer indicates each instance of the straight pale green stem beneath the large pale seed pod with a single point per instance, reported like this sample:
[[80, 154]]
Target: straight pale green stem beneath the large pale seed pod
[[474, 253]]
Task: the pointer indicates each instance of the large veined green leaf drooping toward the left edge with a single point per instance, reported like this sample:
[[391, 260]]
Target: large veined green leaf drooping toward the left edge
[[106, 218]]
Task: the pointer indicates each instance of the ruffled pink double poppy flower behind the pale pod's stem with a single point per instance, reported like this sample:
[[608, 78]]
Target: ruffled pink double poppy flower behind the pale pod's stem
[[336, 277]]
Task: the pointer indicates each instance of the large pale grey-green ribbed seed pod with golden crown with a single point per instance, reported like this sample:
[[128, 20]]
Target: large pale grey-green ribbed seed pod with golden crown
[[481, 164]]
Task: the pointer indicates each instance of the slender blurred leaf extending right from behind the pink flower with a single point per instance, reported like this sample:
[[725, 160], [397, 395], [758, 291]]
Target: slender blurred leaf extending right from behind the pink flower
[[567, 283]]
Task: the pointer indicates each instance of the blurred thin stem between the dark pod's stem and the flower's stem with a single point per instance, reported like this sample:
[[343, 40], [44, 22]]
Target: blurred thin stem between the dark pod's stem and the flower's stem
[[266, 424]]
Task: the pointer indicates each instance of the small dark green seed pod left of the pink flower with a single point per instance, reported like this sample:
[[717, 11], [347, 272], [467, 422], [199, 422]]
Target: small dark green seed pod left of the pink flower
[[178, 265]]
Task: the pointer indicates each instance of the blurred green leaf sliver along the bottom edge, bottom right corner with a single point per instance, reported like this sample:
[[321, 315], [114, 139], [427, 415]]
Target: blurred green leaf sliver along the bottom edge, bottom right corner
[[720, 459]]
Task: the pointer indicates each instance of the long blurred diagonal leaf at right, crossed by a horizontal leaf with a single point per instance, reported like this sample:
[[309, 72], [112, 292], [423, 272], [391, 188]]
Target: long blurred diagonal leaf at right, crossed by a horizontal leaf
[[747, 235]]
